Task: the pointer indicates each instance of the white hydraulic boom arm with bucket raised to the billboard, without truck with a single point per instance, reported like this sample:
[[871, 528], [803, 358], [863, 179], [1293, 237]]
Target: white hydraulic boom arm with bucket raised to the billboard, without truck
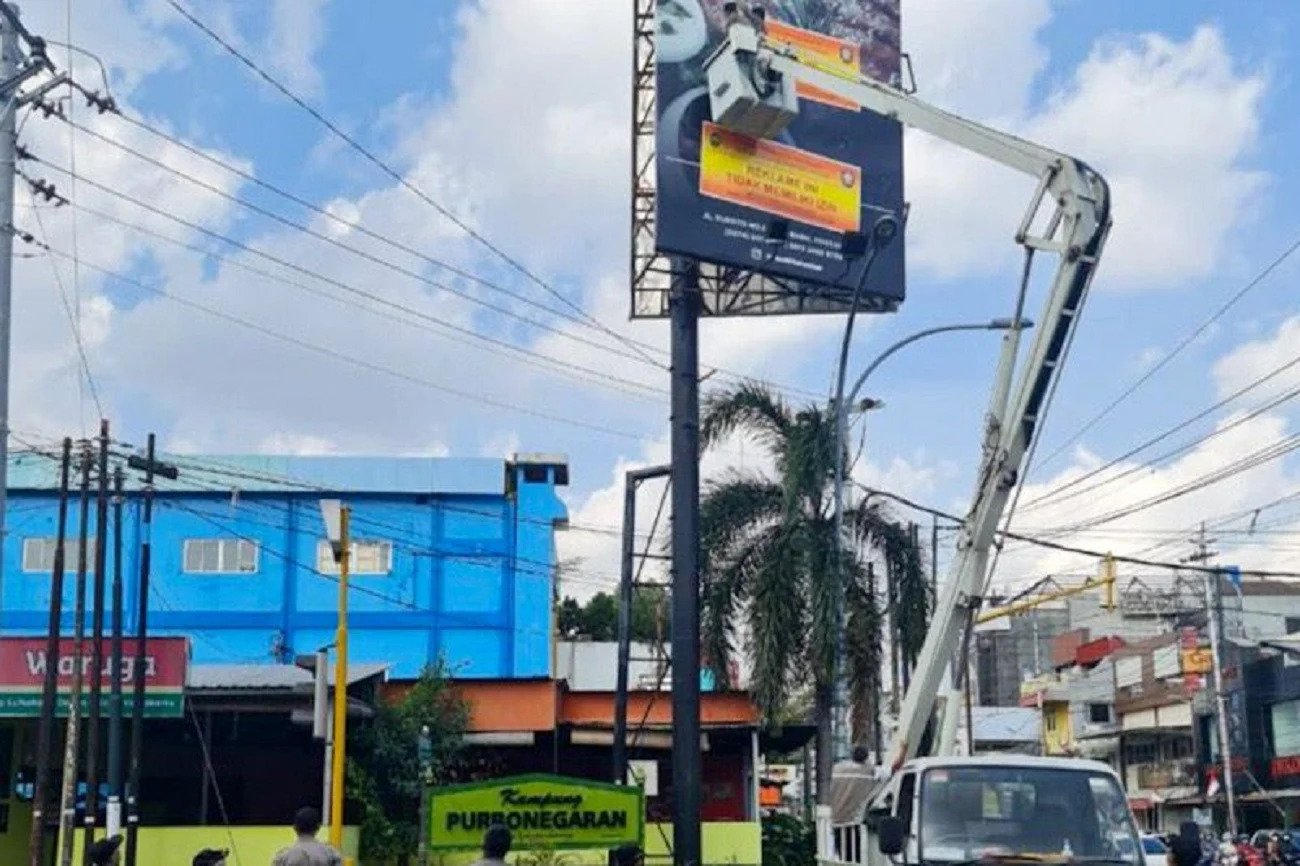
[[752, 89]]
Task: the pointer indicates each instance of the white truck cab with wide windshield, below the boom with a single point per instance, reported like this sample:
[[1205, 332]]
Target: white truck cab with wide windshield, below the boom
[[1002, 809]]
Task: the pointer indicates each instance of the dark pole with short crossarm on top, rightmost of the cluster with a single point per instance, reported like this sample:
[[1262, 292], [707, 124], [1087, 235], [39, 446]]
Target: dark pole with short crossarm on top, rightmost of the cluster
[[151, 467]]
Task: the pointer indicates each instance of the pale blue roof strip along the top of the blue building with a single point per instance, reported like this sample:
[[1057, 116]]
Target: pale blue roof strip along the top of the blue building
[[300, 474]]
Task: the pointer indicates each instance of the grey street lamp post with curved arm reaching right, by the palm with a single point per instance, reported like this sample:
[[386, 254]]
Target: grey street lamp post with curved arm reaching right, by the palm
[[840, 722]]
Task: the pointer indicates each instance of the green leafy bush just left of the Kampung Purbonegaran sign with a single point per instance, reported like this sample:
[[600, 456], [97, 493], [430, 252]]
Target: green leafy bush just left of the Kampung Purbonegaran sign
[[384, 774]]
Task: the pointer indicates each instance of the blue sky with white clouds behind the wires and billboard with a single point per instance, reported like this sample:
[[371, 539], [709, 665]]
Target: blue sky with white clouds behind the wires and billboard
[[207, 314]]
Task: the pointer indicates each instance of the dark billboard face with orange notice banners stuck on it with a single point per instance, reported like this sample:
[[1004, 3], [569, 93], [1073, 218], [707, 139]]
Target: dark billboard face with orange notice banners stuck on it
[[787, 209]]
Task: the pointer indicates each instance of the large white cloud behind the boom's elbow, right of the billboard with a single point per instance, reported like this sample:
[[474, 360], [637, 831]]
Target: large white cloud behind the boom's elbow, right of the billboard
[[1171, 124]]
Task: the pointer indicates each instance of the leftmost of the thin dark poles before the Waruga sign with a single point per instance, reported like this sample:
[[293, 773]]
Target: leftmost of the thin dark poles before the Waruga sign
[[50, 683]]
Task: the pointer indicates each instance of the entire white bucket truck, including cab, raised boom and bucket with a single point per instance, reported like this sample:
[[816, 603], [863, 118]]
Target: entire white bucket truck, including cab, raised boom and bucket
[[934, 806]]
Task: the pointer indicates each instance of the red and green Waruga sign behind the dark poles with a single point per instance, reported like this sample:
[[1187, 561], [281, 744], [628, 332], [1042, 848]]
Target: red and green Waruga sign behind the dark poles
[[24, 663]]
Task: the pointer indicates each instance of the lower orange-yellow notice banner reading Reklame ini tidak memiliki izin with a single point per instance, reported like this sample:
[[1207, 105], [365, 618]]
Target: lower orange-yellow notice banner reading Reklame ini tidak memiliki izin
[[781, 180]]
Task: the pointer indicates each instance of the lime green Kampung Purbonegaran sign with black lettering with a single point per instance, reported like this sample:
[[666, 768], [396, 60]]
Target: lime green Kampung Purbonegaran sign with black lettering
[[541, 812]]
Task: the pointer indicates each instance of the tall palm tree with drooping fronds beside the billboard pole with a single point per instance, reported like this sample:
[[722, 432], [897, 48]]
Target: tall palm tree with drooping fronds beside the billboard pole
[[769, 558]]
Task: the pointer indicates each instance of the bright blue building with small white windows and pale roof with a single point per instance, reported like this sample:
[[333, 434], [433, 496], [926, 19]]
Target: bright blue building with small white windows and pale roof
[[450, 557]]
